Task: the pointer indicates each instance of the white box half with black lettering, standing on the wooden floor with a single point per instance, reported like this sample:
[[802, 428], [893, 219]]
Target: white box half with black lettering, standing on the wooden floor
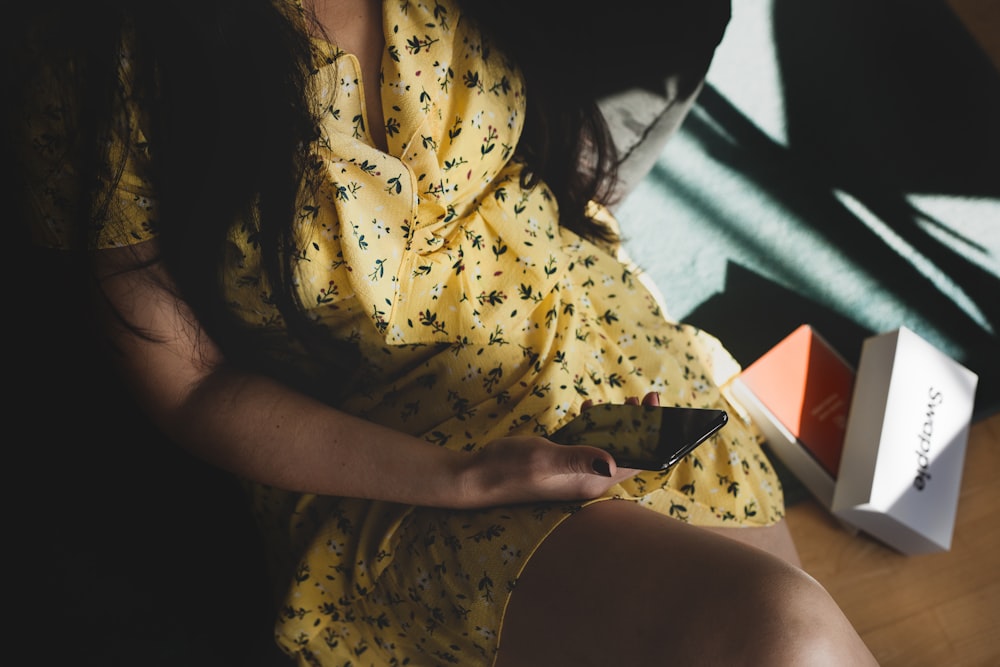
[[904, 447]]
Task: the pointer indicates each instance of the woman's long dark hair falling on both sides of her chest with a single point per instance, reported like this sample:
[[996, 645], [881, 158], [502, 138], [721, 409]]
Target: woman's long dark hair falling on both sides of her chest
[[225, 82]]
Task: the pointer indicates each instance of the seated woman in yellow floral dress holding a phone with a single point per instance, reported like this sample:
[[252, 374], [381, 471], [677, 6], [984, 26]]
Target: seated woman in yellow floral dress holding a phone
[[342, 253]]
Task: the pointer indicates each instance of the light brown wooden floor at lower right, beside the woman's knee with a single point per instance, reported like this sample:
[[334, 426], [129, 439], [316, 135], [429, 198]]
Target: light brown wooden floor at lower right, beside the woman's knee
[[938, 609]]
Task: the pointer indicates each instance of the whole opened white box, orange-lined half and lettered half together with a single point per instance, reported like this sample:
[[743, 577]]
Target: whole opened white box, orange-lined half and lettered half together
[[882, 448]]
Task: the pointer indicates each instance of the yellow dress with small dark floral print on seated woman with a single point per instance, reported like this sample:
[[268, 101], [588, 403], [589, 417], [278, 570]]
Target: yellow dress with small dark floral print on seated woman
[[477, 317]]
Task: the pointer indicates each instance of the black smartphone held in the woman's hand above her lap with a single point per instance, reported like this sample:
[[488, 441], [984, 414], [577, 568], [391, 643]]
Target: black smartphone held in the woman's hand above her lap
[[647, 437]]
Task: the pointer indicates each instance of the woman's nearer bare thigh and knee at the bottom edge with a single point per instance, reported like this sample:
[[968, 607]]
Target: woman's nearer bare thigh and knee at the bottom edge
[[617, 584]]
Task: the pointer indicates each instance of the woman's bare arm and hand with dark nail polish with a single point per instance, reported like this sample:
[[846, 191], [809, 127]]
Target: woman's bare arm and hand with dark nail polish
[[260, 429]]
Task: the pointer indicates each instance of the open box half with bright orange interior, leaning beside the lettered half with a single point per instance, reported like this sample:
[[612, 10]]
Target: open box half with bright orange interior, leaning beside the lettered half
[[799, 394]]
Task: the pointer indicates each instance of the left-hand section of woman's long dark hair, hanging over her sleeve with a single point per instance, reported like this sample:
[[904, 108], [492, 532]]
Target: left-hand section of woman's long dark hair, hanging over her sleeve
[[224, 83]]
